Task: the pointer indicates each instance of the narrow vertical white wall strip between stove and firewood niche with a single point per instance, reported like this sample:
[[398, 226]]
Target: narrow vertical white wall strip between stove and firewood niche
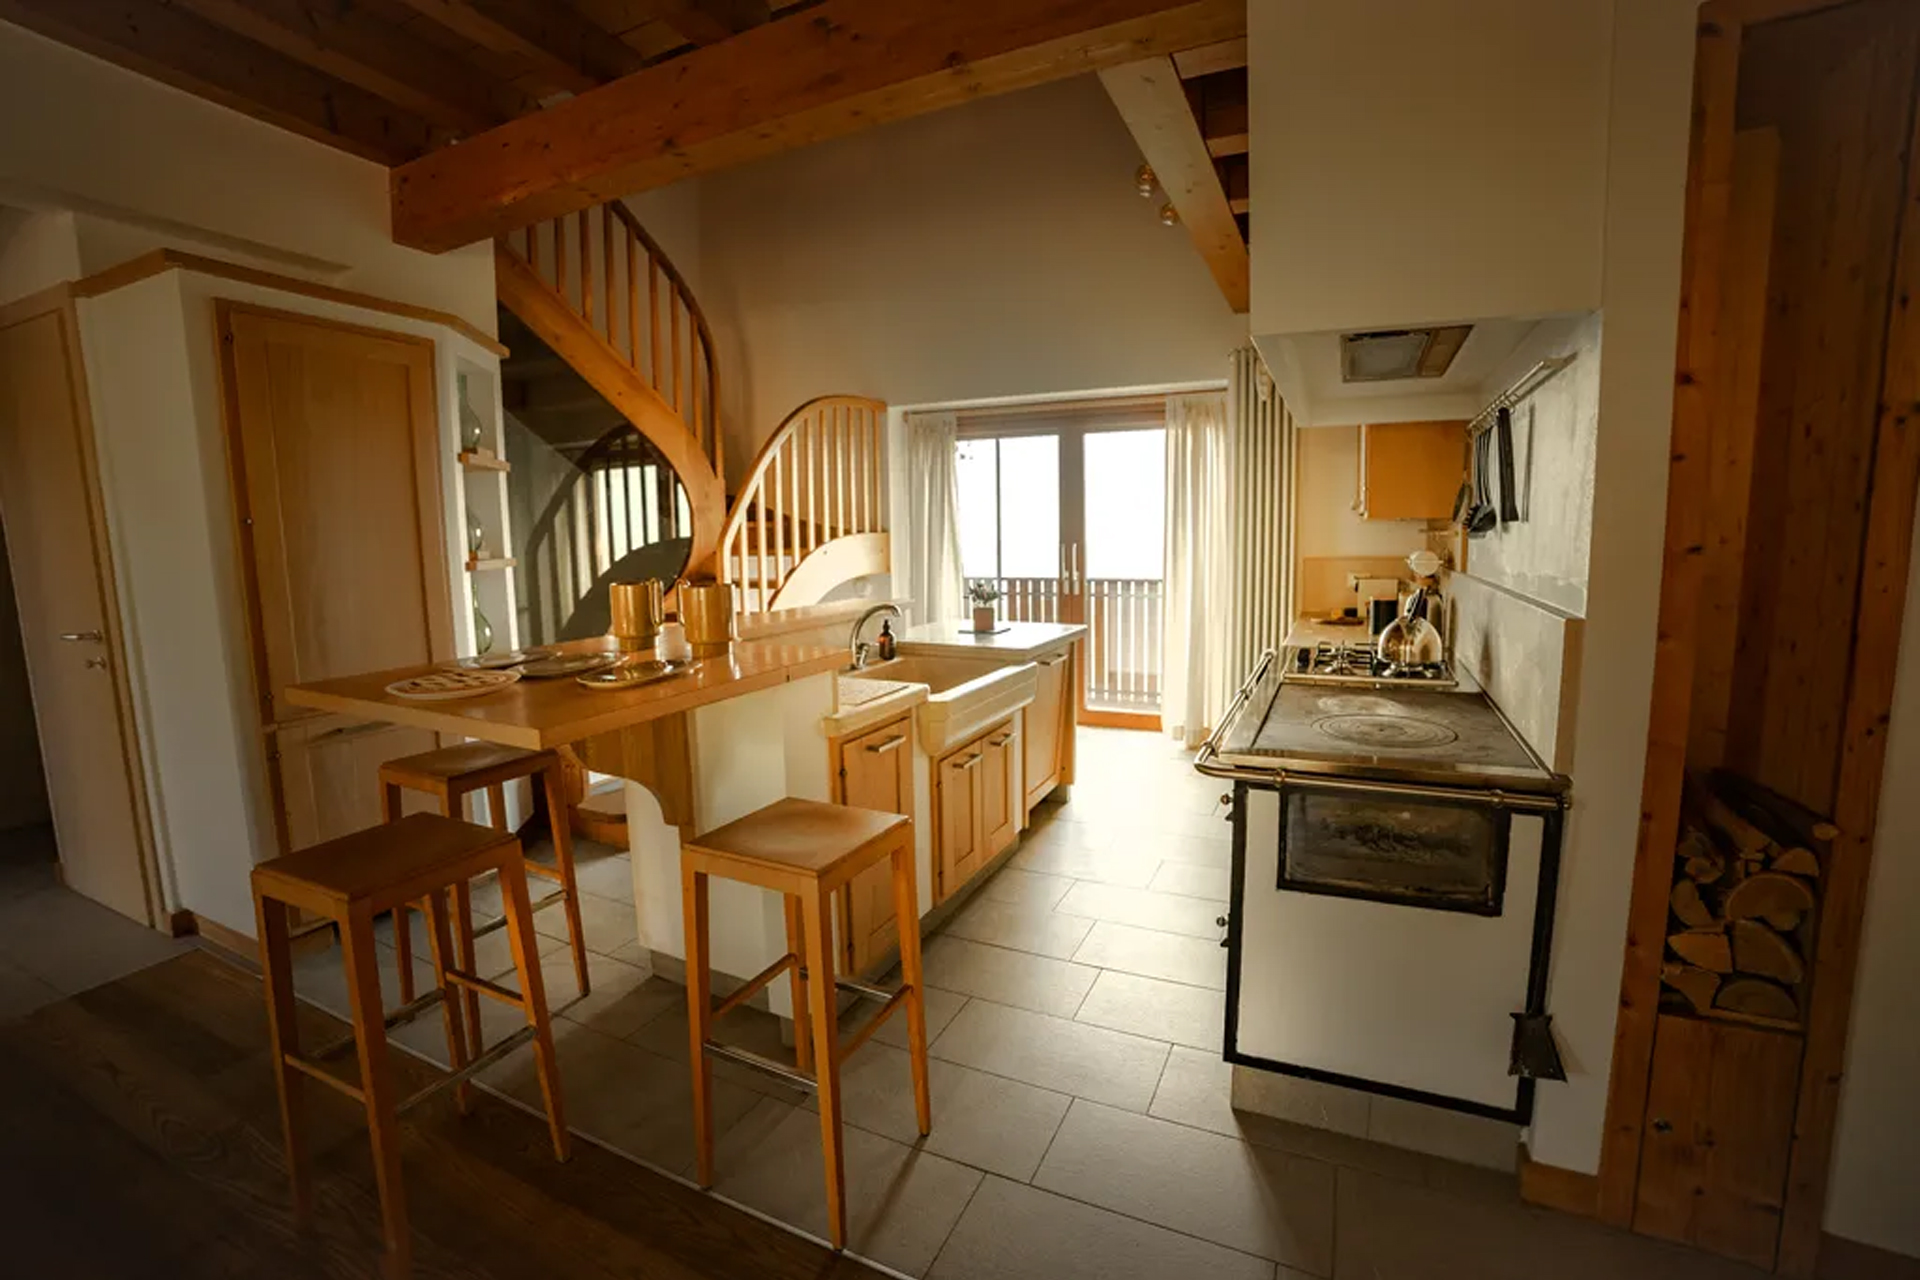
[[1641, 296]]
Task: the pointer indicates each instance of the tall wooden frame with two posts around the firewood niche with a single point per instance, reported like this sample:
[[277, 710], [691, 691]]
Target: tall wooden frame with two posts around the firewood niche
[[1890, 525]]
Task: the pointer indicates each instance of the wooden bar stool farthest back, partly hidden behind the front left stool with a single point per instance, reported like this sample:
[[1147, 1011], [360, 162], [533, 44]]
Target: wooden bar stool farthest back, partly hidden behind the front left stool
[[452, 774]]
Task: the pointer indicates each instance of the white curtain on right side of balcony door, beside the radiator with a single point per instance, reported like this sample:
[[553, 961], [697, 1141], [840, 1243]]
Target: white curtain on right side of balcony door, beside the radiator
[[1199, 540]]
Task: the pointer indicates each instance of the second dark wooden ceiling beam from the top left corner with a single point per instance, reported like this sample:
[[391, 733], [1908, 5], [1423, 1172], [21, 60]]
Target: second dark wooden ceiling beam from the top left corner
[[350, 45]]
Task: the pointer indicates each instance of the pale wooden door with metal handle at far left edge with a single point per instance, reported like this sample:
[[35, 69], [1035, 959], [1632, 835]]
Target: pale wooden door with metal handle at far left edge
[[59, 552]]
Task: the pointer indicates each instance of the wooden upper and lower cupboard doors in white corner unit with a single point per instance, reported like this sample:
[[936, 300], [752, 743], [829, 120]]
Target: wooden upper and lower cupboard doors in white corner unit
[[333, 440]]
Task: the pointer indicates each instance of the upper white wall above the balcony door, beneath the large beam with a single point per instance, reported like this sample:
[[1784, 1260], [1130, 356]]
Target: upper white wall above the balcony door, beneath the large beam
[[990, 250]]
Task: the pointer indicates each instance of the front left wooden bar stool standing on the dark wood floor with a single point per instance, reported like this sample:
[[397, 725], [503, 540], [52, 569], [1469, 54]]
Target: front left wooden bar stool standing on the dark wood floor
[[350, 882]]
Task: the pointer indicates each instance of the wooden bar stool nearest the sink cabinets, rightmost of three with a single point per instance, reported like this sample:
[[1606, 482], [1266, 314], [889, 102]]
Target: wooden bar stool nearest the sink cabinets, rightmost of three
[[805, 851]]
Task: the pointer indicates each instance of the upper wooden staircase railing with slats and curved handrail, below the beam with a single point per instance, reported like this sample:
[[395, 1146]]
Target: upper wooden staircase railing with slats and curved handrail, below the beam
[[604, 295]]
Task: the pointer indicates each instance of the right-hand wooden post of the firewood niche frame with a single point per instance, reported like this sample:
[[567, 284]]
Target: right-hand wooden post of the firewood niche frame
[[1863, 746]]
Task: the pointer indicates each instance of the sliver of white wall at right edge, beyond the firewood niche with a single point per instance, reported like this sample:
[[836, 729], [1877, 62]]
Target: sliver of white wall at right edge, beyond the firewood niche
[[1875, 1195]]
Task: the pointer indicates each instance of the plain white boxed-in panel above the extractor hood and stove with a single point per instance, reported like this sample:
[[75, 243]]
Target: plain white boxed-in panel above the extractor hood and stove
[[1428, 162]]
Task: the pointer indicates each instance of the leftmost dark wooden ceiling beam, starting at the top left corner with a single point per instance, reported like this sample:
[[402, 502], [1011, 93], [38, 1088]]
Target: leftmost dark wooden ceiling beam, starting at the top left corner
[[178, 49]]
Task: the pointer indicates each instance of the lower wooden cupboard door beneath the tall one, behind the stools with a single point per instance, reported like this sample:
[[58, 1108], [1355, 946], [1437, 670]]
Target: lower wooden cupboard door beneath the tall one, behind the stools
[[327, 774]]
